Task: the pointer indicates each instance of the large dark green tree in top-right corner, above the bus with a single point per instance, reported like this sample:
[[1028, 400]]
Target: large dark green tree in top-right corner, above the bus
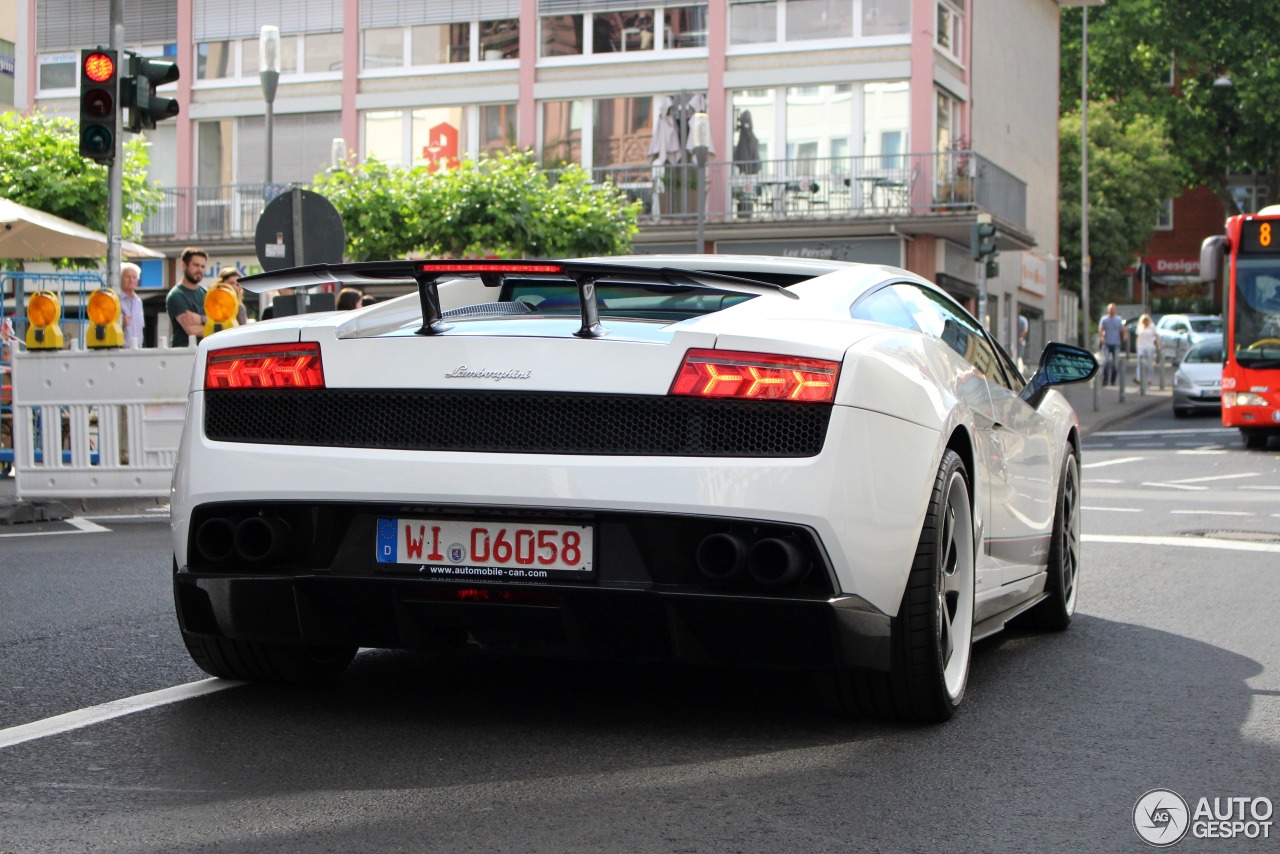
[[1162, 60]]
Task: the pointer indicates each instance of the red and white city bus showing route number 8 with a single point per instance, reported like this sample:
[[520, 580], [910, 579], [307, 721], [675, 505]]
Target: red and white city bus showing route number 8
[[1251, 372]]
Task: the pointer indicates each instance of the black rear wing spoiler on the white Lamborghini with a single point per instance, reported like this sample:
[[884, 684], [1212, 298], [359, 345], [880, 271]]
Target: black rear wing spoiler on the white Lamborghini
[[584, 275]]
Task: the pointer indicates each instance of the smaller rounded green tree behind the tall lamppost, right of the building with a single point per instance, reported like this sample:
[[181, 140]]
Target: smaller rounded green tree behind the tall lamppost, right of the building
[[1132, 168]]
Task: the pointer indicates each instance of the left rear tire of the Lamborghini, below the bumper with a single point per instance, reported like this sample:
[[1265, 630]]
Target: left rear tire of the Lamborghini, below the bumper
[[254, 661]]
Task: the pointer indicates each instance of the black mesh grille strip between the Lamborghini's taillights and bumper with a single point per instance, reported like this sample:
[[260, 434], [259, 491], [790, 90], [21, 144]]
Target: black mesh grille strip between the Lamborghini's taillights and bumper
[[518, 423]]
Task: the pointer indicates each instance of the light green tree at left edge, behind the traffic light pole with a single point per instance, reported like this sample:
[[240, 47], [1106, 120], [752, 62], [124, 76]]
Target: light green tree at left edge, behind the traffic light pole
[[42, 168]]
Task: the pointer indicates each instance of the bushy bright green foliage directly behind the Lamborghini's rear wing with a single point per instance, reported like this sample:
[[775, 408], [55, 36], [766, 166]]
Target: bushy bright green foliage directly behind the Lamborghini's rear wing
[[505, 205]]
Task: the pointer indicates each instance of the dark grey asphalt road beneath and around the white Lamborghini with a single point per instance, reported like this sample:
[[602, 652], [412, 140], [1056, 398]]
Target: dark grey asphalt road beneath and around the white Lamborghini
[[1169, 678]]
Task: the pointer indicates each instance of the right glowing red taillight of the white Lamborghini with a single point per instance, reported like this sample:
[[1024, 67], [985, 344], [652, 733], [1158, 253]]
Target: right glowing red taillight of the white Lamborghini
[[721, 373]]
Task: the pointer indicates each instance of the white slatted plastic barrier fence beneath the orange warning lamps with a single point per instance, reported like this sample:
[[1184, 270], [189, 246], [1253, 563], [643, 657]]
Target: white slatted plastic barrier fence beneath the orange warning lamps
[[100, 423]]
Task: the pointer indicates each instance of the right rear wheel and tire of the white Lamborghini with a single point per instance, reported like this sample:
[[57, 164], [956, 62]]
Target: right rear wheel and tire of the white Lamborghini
[[931, 638]]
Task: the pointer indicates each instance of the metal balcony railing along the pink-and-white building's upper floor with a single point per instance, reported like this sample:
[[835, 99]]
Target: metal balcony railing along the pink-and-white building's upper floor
[[819, 189]]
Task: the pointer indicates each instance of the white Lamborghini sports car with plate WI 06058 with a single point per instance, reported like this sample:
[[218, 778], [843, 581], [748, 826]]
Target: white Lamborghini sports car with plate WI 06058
[[747, 462]]
